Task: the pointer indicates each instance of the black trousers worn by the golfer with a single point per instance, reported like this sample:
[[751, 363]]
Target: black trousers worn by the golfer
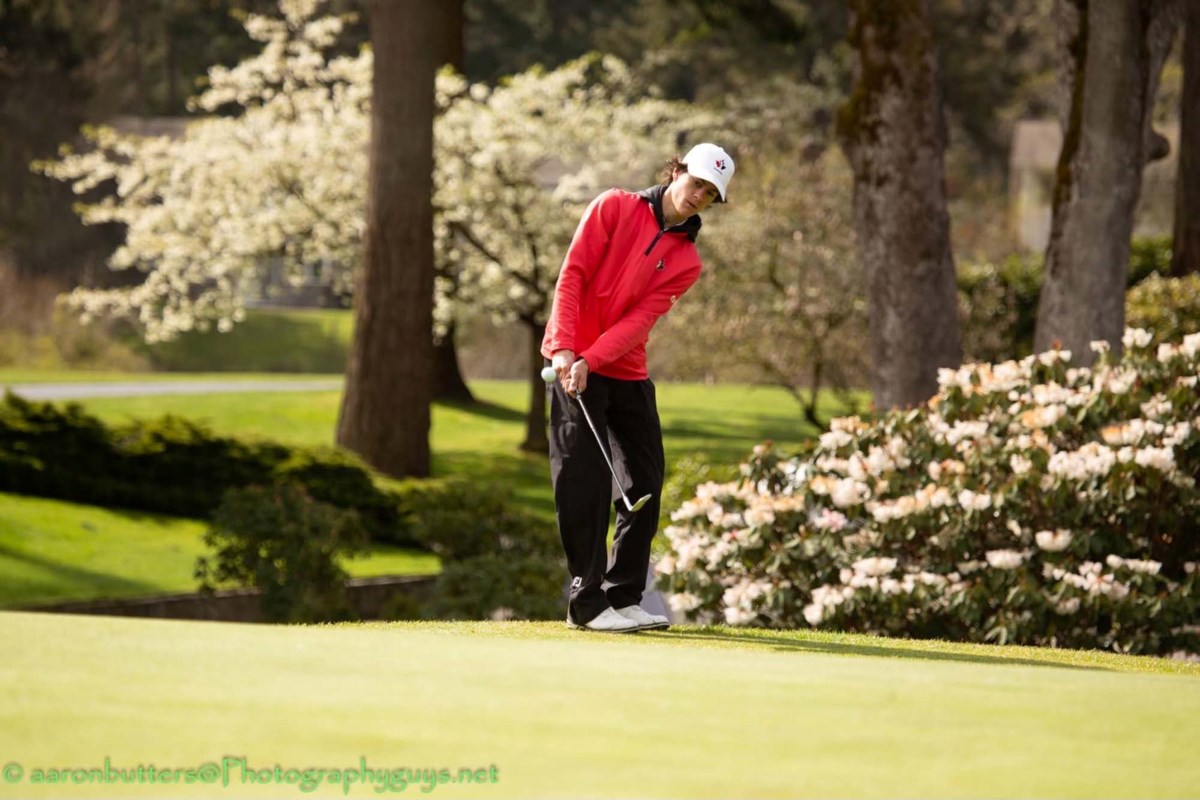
[[626, 414]]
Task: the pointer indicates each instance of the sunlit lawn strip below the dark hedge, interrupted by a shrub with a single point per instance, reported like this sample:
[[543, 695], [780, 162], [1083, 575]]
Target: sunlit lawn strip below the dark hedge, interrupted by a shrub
[[56, 552]]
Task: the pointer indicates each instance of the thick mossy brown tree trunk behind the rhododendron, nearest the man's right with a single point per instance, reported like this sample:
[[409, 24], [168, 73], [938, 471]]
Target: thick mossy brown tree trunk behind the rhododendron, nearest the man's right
[[893, 131]]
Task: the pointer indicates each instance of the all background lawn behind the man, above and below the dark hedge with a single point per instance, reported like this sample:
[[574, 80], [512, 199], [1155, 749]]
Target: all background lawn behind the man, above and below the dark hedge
[[49, 555]]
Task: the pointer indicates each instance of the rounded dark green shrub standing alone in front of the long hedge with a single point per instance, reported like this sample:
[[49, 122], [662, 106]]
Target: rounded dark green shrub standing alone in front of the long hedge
[[278, 539]]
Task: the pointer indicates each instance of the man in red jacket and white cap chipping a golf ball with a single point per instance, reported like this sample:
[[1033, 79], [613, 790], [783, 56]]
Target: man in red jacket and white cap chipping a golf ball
[[632, 258]]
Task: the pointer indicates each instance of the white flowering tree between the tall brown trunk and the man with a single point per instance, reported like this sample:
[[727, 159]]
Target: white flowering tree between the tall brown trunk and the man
[[518, 165]]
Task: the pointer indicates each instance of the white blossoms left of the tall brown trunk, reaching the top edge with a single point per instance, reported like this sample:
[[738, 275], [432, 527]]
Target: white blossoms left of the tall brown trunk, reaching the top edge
[[278, 179]]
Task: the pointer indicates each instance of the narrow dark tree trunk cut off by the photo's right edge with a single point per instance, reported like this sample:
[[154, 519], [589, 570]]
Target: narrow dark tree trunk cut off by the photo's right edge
[[1186, 246]]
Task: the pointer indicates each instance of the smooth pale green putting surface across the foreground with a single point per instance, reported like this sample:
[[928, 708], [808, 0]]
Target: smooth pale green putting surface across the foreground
[[691, 713]]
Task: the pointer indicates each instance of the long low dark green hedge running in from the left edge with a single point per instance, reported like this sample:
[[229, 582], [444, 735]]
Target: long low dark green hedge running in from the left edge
[[172, 466]]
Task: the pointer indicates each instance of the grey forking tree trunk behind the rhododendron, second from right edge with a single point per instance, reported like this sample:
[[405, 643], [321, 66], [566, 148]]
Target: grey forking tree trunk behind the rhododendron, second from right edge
[[1114, 52]]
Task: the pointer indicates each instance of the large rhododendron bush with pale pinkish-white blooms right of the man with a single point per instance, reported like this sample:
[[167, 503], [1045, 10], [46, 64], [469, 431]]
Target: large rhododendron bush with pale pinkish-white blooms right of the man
[[1029, 503]]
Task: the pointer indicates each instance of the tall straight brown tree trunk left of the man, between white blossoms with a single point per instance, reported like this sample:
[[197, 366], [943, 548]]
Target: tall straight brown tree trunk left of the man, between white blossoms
[[386, 411]]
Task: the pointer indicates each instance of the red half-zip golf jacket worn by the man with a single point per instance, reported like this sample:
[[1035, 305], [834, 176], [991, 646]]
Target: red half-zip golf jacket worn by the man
[[623, 272]]
